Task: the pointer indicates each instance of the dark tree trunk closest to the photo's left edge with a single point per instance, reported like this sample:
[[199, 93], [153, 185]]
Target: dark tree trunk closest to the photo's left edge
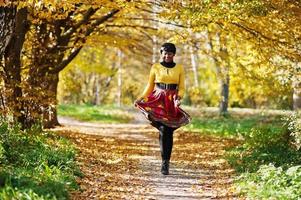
[[12, 68]]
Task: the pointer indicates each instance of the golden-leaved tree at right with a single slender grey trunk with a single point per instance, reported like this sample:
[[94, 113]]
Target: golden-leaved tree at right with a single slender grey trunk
[[271, 30]]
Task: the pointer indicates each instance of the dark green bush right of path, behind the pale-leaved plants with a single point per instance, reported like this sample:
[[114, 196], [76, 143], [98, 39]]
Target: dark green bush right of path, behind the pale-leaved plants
[[264, 145]]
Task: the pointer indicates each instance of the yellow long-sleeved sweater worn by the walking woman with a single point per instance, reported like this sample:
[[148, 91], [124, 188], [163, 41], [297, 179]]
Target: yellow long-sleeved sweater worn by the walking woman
[[161, 74]]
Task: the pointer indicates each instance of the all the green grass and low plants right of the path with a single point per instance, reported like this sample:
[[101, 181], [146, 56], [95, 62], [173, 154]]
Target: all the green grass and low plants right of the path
[[268, 165]]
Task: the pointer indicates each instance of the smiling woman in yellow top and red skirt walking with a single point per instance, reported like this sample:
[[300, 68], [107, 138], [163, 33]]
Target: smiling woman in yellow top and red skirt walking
[[161, 99]]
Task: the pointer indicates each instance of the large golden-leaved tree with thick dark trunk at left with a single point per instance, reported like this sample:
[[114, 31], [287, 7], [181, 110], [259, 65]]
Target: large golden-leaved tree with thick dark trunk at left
[[55, 33]]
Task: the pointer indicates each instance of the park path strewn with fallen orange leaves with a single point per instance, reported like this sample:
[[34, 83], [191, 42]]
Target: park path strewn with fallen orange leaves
[[122, 161]]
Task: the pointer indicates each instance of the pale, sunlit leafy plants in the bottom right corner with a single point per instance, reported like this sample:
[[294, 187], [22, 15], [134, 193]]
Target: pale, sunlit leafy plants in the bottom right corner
[[271, 182]]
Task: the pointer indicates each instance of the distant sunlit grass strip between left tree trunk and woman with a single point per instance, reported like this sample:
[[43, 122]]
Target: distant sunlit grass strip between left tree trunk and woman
[[102, 114]]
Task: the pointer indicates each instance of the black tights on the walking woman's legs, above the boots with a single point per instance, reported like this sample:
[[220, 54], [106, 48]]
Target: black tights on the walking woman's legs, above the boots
[[165, 140]]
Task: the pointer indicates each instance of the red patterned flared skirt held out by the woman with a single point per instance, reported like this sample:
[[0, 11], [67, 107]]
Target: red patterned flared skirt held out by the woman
[[160, 107]]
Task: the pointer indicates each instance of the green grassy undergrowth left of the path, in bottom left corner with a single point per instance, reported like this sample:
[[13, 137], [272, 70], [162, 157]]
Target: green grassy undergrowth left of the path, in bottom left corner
[[35, 164]]
